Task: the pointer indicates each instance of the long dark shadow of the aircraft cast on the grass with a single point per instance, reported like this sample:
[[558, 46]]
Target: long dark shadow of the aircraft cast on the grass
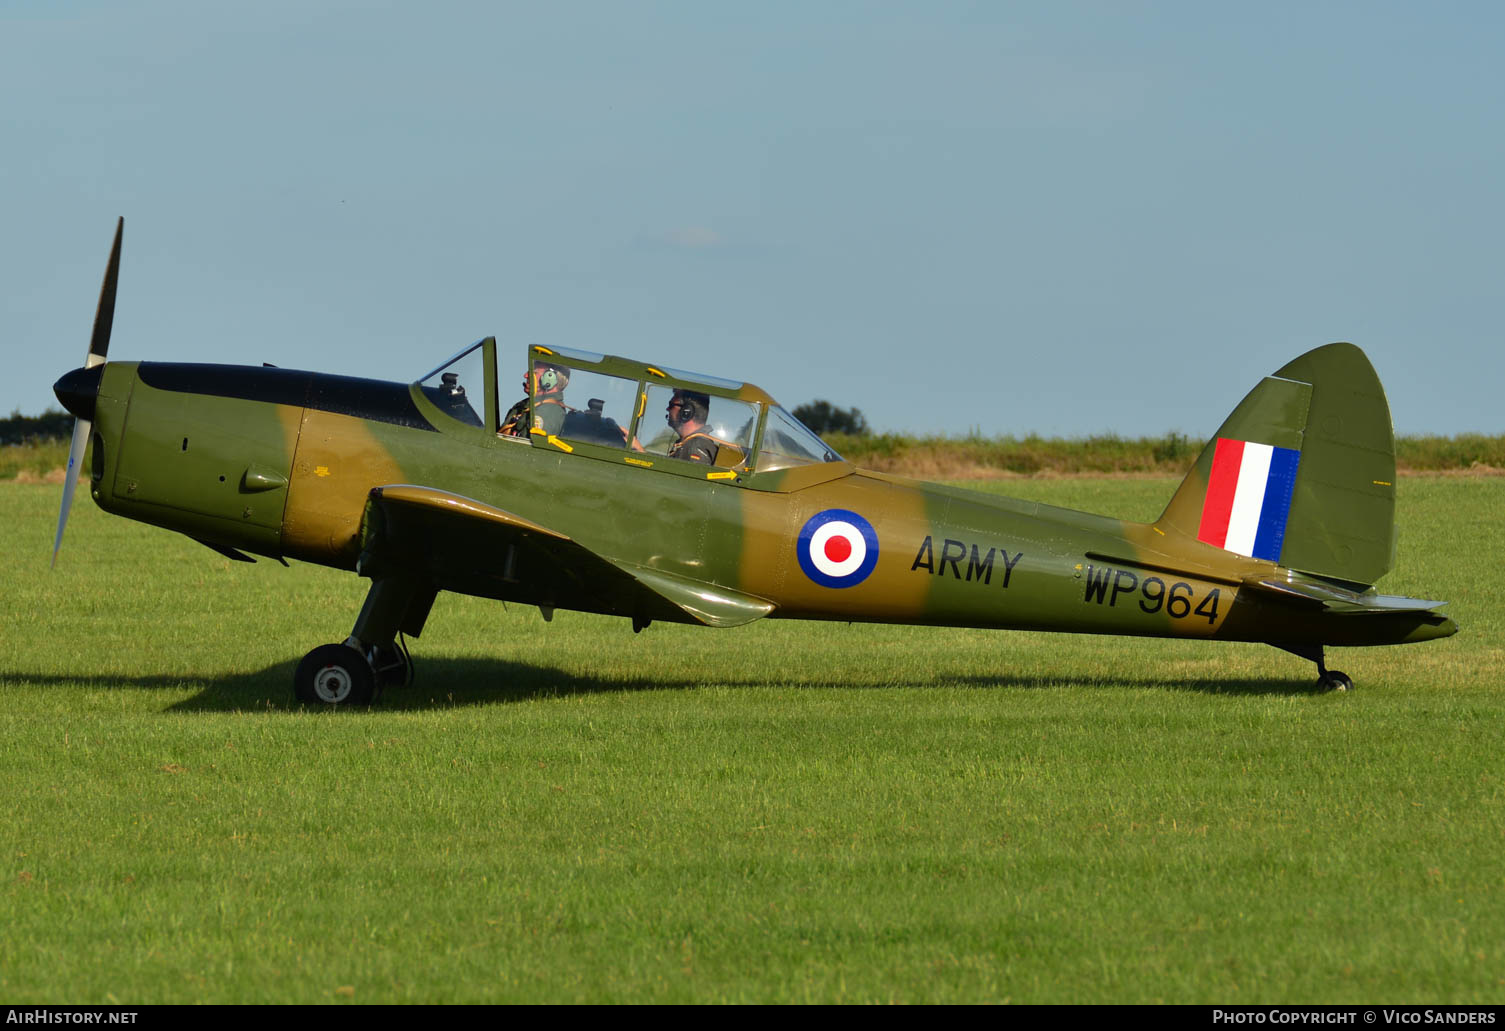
[[446, 683]]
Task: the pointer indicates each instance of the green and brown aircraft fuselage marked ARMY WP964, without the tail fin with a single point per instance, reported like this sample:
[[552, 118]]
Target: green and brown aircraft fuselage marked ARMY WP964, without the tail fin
[[281, 464]]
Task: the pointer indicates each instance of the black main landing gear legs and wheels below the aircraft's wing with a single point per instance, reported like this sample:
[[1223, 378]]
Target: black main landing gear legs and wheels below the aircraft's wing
[[372, 657]]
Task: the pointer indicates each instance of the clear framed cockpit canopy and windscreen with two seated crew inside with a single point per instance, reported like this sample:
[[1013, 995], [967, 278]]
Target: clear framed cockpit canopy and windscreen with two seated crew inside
[[627, 412]]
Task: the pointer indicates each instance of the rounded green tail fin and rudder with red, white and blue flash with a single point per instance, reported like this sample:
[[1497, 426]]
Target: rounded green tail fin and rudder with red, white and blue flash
[[1303, 473]]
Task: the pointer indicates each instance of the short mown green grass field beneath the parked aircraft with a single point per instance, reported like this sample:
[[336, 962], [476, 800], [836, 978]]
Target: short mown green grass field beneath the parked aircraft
[[782, 814]]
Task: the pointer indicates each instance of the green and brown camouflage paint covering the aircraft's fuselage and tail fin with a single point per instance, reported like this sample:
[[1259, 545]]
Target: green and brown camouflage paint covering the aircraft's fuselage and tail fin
[[284, 479]]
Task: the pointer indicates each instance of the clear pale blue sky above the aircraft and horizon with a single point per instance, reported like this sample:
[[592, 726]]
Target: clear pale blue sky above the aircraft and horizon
[[1011, 217]]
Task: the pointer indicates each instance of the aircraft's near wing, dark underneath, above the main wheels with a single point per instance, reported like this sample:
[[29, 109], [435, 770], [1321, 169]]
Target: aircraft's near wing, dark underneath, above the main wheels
[[473, 549]]
